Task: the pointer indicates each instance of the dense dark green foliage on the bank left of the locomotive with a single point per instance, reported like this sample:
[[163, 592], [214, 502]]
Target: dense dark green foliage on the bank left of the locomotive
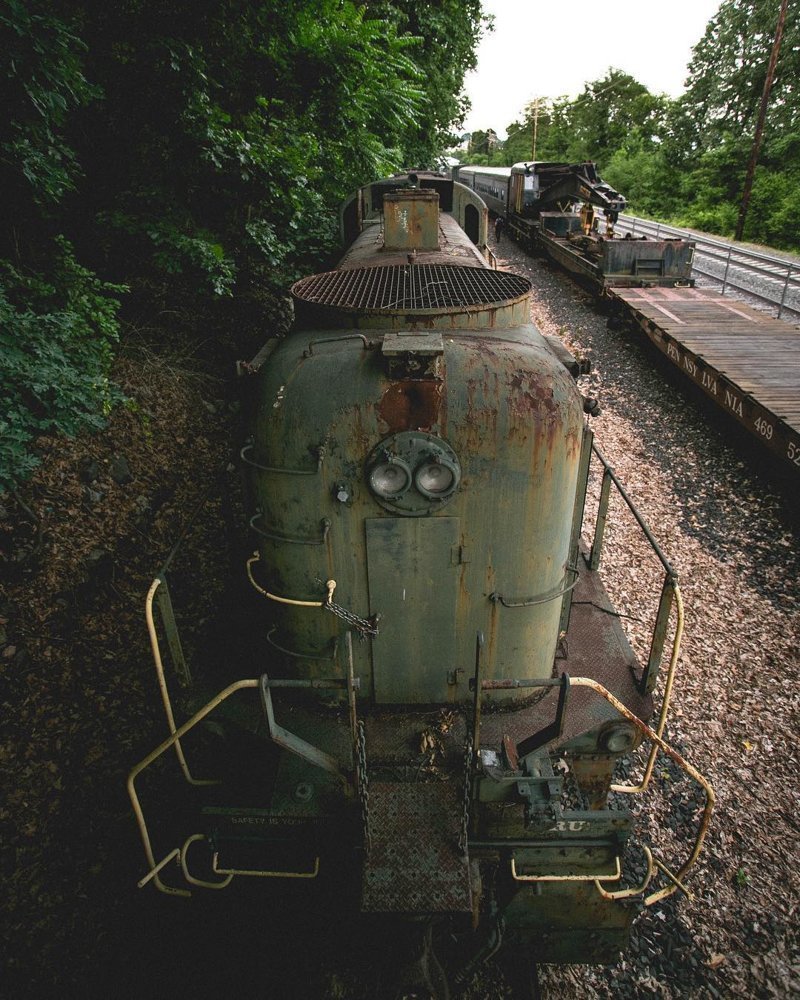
[[193, 151]]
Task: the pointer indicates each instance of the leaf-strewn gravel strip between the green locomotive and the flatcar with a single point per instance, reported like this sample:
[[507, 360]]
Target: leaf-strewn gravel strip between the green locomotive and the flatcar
[[731, 532]]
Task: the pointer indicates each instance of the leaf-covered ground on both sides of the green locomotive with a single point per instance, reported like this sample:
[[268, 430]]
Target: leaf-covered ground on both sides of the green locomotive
[[80, 705]]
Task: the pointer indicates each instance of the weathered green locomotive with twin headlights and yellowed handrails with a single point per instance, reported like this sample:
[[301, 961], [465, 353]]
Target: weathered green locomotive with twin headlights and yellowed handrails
[[445, 693]]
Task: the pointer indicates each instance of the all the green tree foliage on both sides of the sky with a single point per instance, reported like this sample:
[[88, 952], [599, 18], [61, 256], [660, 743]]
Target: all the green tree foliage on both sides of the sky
[[187, 156]]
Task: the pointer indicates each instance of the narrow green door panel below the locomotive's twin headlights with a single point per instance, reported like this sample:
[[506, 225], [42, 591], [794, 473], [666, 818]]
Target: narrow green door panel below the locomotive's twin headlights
[[413, 586]]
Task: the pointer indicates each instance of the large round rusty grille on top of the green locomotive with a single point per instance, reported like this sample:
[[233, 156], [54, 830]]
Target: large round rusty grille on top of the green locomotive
[[407, 291]]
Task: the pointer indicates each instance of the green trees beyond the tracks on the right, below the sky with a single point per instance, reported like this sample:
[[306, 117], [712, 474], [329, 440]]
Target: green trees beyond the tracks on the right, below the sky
[[685, 160]]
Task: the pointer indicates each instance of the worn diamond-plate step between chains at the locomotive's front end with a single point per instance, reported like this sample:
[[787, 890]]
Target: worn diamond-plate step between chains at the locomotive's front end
[[414, 865]]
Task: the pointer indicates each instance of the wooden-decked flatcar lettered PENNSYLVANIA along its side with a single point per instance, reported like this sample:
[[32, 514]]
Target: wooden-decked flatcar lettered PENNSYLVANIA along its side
[[744, 360]]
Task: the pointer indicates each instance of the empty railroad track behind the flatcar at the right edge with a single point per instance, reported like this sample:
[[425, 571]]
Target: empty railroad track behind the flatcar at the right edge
[[772, 281]]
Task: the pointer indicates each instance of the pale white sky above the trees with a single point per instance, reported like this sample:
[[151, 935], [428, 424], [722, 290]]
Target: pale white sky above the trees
[[551, 48]]
